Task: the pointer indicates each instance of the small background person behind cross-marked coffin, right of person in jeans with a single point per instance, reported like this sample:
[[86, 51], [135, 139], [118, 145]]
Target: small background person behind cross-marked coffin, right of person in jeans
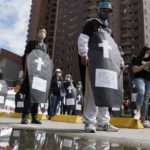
[[70, 95]]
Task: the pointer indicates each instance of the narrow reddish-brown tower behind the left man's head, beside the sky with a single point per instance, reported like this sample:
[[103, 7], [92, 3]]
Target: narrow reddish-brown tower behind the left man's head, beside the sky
[[44, 14]]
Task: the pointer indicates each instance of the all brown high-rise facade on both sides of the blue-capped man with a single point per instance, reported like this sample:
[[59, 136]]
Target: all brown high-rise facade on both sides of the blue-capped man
[[64, 20]]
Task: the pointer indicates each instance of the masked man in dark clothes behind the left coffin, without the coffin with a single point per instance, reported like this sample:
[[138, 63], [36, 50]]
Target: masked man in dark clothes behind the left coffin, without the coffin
[[31, 45]]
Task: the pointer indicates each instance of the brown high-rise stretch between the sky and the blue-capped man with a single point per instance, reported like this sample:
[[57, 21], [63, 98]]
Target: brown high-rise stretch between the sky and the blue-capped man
[[64, 20]]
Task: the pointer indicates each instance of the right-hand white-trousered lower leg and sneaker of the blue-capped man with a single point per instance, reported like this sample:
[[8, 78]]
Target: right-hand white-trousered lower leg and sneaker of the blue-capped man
[[104, 119]]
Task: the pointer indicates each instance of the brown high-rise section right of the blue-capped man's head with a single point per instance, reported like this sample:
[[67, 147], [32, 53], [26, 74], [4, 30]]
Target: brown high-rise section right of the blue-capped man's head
[[129, 23]]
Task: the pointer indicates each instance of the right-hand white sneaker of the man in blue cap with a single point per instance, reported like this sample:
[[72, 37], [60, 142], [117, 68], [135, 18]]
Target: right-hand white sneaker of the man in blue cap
[[107, 127]]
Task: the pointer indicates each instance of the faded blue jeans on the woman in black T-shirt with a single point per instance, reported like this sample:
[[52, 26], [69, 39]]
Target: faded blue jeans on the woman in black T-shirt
[[143, 94]]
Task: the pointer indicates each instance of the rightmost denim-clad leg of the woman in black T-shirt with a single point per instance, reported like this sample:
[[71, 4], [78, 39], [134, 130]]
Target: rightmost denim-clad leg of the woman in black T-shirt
[[144, 108]]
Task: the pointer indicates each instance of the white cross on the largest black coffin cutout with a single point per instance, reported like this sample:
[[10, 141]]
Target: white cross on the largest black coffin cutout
[[106, 48]]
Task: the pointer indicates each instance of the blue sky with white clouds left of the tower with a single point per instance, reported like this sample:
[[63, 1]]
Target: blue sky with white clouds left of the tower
[[14, 20]]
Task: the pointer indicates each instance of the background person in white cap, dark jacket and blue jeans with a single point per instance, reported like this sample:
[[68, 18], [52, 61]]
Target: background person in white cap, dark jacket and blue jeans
[[56, 93]]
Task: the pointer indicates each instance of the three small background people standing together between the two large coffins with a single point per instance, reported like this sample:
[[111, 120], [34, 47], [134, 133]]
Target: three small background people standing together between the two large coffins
[[65, 96]]
